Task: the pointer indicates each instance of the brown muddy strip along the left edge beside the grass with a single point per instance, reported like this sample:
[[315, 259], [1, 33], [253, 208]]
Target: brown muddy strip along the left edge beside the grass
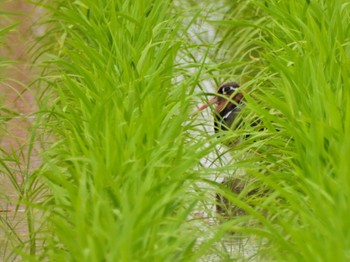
[[15, 95]]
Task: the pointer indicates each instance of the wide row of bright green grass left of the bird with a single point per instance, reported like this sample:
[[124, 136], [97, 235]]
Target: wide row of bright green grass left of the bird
[[121, 157]]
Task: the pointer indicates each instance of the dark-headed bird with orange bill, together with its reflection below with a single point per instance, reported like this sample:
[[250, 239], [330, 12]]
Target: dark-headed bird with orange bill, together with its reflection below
[[228, 103]]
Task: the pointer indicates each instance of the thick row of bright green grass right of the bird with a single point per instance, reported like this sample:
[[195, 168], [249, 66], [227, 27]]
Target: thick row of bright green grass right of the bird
[[302, 97]]
